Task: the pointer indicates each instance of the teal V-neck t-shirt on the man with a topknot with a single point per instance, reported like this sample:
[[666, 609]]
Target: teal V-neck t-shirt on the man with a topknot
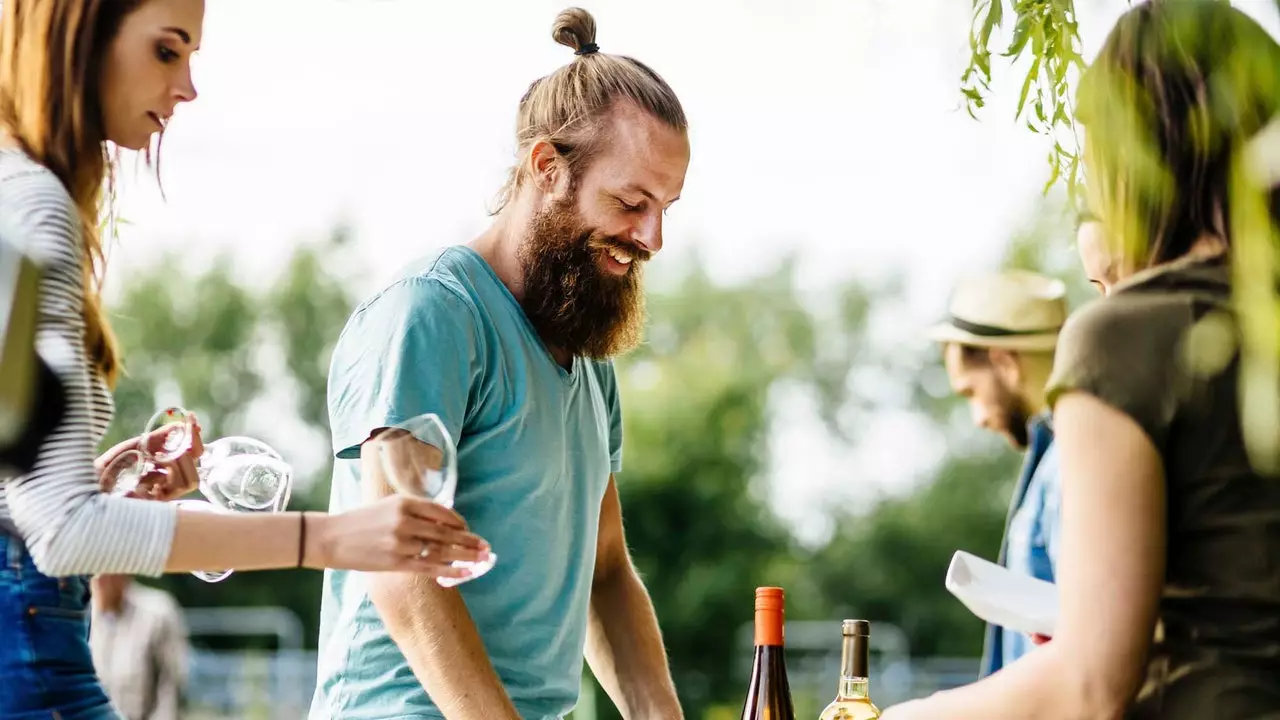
[[537, 445]]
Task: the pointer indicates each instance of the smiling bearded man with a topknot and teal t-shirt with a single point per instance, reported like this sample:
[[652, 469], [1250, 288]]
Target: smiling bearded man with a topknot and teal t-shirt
[[510, 341]]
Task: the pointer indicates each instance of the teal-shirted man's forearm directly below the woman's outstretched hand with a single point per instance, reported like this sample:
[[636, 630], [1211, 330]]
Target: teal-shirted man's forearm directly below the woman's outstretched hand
[[436, 634]]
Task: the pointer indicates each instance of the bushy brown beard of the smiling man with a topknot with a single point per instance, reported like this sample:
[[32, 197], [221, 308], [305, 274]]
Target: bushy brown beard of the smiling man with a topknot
[[572, 300]]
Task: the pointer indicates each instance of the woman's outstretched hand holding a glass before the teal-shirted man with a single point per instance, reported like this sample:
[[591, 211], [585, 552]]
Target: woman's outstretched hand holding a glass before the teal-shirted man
[[395, 534]]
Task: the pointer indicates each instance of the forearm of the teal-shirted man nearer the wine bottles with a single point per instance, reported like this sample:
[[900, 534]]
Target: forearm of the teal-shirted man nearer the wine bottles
[[625, 651]]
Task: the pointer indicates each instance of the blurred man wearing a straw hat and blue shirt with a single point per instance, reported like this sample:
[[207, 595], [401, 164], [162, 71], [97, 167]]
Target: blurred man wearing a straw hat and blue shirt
[[999, 345]]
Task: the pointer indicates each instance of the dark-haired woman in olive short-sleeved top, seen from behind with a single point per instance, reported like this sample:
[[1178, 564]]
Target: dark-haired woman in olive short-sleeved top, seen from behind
[[1169, 576]]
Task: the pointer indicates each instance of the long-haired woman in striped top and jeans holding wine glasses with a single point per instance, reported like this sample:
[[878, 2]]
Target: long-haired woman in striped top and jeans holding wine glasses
[[76, 79]]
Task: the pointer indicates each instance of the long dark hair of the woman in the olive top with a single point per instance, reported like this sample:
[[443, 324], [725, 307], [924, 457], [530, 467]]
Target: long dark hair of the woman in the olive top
[[1169, 110]]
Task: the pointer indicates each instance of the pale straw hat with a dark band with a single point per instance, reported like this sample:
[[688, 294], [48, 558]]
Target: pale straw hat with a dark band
[[1012, 309]]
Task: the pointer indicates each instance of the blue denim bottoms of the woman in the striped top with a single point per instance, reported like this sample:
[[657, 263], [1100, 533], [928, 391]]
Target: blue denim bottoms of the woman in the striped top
[[47, 669]]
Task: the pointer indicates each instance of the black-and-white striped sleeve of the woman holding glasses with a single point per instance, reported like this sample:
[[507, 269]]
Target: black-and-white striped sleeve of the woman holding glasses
[[67, 523]]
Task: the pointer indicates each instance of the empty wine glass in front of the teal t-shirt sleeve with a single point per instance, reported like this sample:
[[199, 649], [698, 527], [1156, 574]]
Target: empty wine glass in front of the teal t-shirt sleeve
[[419, 459]]
